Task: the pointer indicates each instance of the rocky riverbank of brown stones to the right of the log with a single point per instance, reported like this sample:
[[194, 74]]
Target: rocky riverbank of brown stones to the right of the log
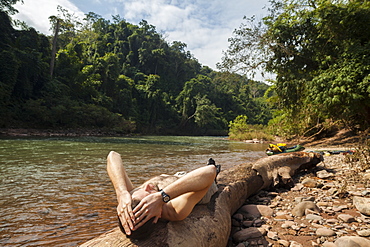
[[328, 206]]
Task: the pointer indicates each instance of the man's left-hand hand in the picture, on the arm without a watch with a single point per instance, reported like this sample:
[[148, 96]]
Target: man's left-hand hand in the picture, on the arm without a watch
[[125, 212]]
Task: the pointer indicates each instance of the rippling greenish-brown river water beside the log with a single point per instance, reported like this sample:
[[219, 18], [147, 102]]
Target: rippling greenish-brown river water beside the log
[[56, 191]]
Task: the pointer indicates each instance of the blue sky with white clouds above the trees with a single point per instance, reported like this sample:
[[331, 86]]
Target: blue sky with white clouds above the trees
[[204, 25]]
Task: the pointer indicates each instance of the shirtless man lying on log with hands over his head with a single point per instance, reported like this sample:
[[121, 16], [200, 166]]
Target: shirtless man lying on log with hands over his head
[[167, 197]]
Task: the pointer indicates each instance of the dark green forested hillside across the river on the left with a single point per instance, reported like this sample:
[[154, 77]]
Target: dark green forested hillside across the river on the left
[[116, 75]]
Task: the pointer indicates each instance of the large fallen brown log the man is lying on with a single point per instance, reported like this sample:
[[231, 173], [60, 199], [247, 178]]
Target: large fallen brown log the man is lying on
[[210, 225]]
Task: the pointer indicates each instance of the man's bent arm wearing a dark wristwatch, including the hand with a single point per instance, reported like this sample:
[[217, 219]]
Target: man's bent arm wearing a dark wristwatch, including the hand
[[185, 193]]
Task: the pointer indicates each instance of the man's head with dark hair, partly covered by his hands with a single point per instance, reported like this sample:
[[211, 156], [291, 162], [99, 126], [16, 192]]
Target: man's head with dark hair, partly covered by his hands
[[137, 195]]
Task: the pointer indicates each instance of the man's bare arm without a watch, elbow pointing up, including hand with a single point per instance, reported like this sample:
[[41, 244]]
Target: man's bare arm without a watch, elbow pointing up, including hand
[[122, 185]]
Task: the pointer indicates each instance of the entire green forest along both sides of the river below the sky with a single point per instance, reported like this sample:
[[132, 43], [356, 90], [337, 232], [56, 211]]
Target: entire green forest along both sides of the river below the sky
[[111, 74]]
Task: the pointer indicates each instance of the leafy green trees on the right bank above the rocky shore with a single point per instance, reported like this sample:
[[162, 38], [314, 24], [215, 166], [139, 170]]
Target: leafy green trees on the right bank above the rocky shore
[[320, 54]]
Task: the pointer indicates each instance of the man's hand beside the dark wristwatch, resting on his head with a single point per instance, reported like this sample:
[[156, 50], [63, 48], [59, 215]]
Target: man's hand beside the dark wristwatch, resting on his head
[[149, 207]]
